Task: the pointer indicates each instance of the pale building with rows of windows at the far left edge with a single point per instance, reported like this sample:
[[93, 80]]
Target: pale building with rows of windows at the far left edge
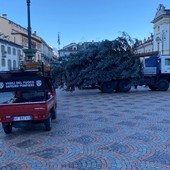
[[10, 55]]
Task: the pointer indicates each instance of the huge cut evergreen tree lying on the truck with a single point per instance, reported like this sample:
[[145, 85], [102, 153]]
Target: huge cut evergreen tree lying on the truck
[[100, 62]]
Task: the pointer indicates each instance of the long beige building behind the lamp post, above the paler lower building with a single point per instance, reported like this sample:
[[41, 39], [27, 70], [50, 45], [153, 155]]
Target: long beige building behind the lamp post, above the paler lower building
[[19, 35]]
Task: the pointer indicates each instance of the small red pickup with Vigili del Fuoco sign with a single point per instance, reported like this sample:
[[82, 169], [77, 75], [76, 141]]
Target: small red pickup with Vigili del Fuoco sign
[[36, 103]]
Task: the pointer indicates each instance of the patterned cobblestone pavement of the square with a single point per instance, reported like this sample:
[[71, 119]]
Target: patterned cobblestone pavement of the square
[[96, 131]]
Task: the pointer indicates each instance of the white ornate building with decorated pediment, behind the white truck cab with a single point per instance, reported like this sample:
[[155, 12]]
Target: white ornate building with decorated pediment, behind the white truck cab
[[160, 40]]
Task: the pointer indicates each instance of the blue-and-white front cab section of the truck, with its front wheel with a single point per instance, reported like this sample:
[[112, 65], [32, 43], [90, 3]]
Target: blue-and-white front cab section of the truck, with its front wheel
[[156, 72]]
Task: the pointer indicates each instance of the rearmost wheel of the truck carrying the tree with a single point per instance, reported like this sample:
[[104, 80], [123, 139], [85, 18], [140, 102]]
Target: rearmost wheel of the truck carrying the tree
[[108, 87]]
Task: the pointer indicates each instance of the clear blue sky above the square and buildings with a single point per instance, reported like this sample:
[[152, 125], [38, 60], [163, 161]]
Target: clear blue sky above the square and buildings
[[84, 20]]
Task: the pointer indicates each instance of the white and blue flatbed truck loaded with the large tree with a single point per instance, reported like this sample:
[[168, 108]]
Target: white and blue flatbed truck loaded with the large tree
[[155, 75]]
